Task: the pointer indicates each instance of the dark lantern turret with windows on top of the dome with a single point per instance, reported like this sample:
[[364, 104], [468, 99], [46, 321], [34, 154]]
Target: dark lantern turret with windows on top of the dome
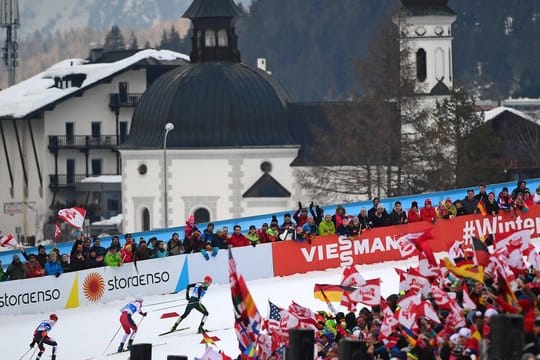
[[214, 37]]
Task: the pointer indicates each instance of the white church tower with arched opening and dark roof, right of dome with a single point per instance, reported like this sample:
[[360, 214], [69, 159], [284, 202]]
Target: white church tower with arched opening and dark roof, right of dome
[[425, 28]]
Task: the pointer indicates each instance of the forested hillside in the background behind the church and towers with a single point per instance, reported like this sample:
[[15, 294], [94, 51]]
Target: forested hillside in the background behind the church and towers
[[313, 46]]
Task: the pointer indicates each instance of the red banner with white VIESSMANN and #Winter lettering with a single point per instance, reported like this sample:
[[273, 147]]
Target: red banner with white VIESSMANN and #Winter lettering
[[380, 244]]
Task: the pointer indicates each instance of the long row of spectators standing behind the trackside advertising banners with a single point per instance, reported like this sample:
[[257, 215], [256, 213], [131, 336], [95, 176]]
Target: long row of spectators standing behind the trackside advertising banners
[[301, 226]]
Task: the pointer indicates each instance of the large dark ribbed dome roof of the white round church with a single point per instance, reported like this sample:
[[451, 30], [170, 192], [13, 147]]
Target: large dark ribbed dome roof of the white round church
[[213, 104]]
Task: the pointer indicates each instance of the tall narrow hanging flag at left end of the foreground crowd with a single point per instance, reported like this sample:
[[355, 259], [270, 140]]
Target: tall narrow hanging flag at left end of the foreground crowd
[[247, 318]]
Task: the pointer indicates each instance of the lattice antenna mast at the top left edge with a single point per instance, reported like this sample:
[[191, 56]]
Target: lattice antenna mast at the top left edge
[[9, 19]]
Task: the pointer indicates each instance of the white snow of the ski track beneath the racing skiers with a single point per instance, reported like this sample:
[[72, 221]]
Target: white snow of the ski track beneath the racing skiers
[[84, 332]]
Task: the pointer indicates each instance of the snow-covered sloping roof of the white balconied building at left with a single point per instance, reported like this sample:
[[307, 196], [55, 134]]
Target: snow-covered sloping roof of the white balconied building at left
[[37, 92]]
